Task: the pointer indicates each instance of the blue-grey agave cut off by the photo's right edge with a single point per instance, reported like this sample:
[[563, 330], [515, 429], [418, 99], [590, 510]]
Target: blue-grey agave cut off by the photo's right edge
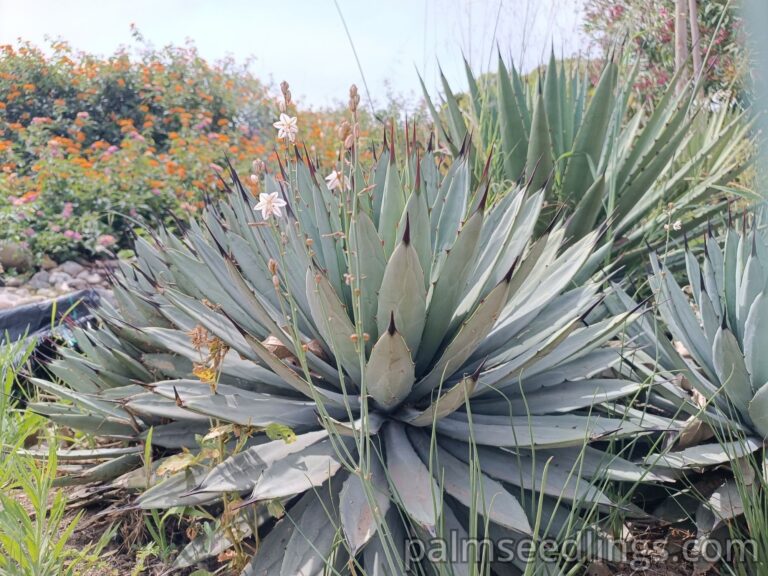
[[711, 371]]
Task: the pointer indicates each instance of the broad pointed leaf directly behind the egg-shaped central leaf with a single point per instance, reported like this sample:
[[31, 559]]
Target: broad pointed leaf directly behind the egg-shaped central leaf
[[403, 294]]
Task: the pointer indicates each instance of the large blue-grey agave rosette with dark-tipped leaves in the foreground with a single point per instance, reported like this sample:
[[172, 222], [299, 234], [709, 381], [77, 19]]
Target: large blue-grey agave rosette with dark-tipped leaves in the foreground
[[385, 362]]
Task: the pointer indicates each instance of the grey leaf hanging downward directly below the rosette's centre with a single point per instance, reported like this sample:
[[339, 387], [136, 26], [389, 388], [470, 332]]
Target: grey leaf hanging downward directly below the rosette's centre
[[410, 481]]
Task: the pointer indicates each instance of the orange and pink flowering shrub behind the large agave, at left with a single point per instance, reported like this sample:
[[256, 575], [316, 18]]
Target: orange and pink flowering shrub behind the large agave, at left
[[93, 148]]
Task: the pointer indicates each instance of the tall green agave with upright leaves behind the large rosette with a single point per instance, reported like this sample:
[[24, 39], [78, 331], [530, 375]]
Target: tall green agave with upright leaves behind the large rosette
[[600, 155]]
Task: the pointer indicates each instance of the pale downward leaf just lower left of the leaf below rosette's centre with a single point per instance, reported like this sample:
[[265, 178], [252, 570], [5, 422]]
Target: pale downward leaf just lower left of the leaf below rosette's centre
[[358, 519]]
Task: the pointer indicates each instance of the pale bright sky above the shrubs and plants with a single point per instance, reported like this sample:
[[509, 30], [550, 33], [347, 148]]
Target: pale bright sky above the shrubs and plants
[[304, 41]]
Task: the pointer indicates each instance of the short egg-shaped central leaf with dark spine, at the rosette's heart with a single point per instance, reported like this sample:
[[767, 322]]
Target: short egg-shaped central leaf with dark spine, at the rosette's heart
[[389, 374]]
